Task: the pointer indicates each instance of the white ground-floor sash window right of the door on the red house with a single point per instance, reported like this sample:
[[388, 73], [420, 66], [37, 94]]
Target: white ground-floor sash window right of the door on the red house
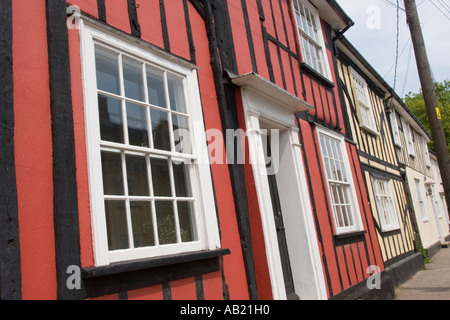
[[340, 182]]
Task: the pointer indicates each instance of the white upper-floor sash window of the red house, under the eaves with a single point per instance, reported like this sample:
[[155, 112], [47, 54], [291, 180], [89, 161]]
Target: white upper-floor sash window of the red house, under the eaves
[[311, 37]]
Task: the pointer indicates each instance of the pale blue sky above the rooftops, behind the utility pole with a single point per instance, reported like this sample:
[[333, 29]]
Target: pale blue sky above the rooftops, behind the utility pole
[[374, 35]]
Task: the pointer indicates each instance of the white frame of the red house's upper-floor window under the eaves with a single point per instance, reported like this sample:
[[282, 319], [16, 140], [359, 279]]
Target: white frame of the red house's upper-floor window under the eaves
[[313, 37]]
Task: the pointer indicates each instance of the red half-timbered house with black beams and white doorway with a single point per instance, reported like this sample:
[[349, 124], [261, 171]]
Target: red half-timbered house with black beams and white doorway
[[136, 140]]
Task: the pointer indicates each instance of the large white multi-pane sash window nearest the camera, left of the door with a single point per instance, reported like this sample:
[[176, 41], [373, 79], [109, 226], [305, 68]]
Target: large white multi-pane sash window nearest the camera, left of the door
[[149, 195]]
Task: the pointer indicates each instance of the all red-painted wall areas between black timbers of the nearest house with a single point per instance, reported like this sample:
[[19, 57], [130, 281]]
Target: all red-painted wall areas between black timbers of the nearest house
[[33, 144]]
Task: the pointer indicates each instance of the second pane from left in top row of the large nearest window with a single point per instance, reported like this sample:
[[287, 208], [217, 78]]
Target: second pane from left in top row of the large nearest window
[[132, 76]]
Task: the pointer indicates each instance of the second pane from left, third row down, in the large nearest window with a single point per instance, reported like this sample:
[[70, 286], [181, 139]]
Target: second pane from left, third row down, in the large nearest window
[[137, 176]]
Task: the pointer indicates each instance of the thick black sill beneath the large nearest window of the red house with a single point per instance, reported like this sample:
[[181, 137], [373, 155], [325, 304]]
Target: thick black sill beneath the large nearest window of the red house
[[124, 276]]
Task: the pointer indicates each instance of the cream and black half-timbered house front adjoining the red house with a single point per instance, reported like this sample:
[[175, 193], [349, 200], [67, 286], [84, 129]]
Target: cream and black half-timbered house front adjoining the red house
[[365, 99]]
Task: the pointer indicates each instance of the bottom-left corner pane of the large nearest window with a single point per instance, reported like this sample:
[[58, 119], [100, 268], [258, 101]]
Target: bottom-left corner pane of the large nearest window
[[116, 224]]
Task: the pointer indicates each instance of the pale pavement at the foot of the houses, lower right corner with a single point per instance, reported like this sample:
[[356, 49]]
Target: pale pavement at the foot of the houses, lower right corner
[[433, 283]]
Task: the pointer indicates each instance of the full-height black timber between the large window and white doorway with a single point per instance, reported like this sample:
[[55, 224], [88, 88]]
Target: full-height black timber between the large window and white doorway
[[223, 57]]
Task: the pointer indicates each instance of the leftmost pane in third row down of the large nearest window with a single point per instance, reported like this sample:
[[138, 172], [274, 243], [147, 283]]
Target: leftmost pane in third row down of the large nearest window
[[112, 173]]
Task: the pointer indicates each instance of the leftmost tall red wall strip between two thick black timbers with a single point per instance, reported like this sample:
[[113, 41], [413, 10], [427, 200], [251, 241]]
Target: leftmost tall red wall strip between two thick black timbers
[[33, 150]]
